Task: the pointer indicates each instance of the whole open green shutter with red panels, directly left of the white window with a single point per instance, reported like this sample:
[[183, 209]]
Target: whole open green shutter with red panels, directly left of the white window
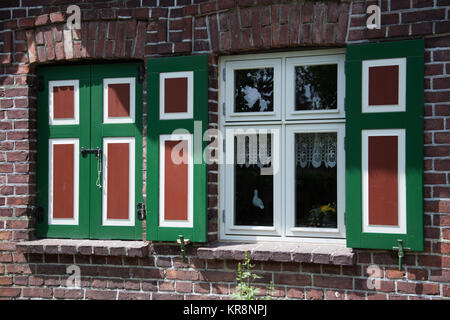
[[177, 100]]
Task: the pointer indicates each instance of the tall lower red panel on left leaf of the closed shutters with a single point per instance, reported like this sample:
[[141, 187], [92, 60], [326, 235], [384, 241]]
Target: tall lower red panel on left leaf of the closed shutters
[[63, 181]]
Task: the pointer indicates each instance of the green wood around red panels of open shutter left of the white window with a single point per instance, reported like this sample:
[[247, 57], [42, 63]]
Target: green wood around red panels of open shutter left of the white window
[[157, 127]]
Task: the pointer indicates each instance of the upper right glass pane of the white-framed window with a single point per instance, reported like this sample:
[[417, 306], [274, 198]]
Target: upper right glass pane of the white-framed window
[[316, 87]]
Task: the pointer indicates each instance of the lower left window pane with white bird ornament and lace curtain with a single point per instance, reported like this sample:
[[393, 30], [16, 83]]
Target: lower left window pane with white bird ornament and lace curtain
[[253, 192]]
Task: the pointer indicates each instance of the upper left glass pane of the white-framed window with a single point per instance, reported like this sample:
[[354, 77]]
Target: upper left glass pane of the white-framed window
[[253, 90]]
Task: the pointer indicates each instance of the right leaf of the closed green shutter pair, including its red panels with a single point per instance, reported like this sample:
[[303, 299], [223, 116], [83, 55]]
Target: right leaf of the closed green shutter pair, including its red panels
[[116, 135]]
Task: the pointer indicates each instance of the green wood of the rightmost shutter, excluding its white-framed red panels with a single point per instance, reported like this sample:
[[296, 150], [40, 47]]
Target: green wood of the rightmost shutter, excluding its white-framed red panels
[[411, 120]]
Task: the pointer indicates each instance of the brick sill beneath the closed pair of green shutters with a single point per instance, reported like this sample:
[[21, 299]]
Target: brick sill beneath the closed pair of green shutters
[[86, 247]]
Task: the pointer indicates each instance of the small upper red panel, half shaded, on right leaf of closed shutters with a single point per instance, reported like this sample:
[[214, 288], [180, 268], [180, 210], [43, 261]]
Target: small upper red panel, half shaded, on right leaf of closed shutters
[[119, 100]]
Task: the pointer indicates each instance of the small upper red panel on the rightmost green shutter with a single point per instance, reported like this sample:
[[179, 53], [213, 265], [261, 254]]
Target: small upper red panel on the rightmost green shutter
[[383, 85]]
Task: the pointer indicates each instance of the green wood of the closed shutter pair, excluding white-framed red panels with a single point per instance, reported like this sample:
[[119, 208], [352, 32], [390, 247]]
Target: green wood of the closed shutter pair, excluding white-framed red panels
[[91, 132]]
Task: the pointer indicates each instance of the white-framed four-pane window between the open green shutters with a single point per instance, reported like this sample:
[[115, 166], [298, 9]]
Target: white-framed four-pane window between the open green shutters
[[302, 194]]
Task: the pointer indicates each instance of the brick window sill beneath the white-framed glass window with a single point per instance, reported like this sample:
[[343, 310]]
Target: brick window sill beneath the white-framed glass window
[[280, 252]]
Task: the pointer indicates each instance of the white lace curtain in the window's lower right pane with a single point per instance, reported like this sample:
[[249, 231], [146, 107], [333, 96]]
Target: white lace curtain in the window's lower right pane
[[315, 149]]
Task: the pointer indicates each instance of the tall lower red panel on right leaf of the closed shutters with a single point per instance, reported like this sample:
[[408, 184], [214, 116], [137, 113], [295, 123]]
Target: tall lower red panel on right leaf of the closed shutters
[[118, 180]]
